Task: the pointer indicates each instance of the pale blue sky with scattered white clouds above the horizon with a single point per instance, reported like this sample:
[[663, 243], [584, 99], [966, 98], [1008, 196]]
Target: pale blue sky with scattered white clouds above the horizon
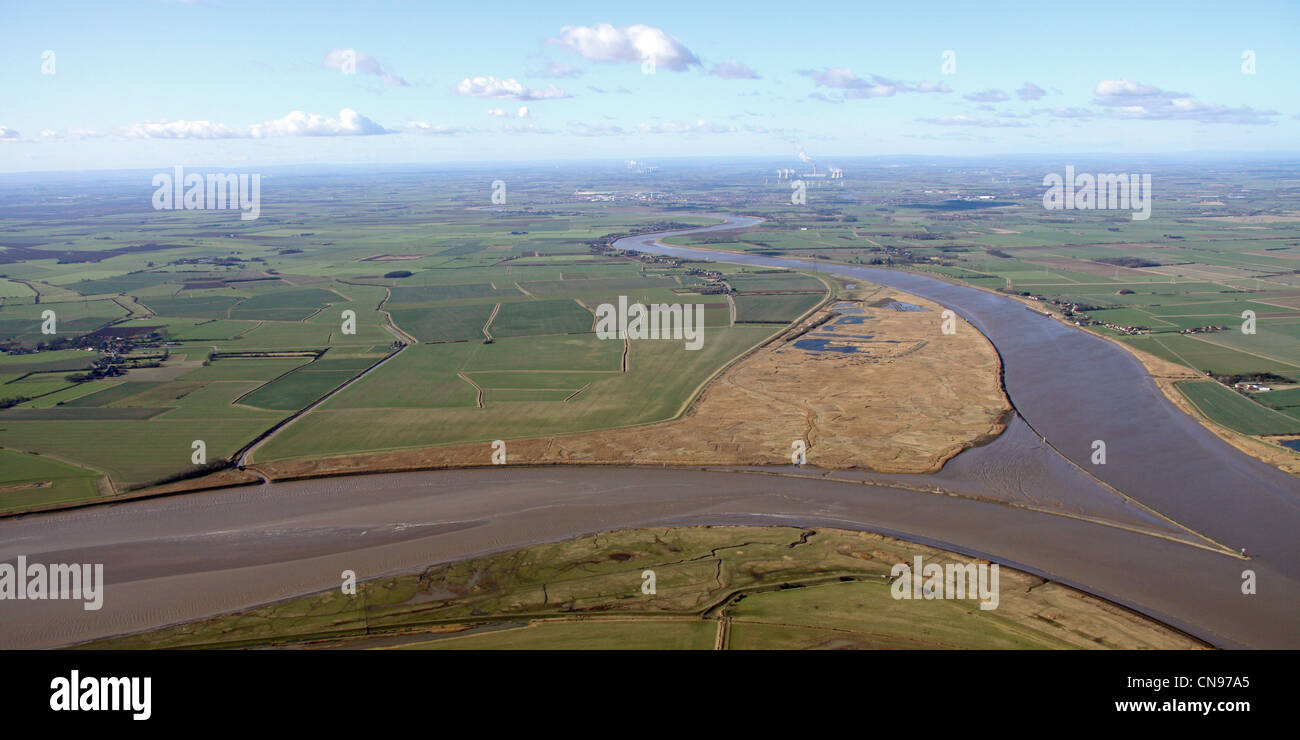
[[154, 84]]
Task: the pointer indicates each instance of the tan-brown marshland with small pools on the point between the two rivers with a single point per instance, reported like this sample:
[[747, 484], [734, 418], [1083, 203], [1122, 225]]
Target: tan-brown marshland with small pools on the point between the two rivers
[[907, 403]]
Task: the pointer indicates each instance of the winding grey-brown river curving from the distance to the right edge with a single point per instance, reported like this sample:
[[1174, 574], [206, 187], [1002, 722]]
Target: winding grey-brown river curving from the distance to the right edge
[[1073, 390]]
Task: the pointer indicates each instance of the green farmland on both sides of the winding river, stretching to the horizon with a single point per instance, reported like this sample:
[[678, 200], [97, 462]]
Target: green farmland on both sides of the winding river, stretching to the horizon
[[414, 248]]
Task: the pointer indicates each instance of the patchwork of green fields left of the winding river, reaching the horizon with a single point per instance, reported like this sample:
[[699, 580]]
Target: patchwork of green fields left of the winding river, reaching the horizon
[[215, 331]]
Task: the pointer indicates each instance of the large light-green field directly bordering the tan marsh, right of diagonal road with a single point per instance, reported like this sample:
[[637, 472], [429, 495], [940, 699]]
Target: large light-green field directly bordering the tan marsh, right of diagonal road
[[662, 378]]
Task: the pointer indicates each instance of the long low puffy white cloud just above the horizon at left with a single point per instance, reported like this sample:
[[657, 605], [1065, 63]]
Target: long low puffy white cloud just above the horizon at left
[[296, 124]]
